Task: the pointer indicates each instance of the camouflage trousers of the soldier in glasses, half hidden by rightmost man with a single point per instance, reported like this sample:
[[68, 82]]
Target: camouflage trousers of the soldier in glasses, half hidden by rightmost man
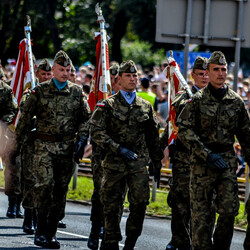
[[179, 201]]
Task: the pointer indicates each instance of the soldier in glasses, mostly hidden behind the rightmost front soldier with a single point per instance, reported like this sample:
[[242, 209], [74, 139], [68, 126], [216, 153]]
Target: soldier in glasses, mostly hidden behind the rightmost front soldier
[[178, 198]]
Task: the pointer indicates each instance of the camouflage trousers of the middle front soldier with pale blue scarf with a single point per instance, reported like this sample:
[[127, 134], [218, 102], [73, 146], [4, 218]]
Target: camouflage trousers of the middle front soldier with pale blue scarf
[[112, 196]]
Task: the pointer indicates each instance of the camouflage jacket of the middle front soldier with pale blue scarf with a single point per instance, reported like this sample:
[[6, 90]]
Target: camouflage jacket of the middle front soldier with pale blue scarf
[[116, 123]]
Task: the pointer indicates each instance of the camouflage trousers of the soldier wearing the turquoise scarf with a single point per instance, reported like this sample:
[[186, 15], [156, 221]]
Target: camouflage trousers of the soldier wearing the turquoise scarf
[[53, 173]]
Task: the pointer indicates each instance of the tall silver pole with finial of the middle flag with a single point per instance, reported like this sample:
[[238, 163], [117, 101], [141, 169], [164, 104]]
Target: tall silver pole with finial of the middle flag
[[101, 21]]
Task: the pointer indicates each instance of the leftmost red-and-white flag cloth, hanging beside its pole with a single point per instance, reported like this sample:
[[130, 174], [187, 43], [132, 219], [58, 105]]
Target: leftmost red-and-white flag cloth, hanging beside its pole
[[22, 76]]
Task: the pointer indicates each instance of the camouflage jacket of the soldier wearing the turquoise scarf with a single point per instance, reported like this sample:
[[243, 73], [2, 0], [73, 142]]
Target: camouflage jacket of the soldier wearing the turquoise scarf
[[58, 113]]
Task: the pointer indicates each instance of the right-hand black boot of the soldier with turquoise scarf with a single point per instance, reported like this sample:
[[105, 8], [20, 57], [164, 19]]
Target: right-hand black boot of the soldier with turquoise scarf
[[51, 240]]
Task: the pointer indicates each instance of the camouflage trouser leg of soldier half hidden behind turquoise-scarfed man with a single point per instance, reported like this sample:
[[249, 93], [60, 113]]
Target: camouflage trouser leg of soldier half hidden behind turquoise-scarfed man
[[28, 179]]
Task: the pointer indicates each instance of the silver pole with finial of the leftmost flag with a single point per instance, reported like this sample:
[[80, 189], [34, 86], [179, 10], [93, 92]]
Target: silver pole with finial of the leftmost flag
[[27, 31]]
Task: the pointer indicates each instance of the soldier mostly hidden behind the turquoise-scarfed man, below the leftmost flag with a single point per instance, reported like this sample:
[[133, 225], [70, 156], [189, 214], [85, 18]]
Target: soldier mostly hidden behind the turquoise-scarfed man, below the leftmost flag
[[43, 73]]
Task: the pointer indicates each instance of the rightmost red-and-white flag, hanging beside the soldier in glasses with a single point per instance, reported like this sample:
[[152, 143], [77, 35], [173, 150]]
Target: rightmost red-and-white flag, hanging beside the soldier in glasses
[[172, 72]]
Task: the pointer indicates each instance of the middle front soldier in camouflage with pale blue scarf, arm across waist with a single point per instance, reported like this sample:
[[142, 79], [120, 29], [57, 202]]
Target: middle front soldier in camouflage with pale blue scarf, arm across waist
[[125, 125]]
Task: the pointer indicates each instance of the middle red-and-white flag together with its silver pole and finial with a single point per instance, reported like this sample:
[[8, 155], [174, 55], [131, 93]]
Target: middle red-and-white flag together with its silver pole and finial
[[100, 86]]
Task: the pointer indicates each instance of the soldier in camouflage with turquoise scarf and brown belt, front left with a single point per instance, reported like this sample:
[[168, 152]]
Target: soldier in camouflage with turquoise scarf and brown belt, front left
[[61, 111]]
